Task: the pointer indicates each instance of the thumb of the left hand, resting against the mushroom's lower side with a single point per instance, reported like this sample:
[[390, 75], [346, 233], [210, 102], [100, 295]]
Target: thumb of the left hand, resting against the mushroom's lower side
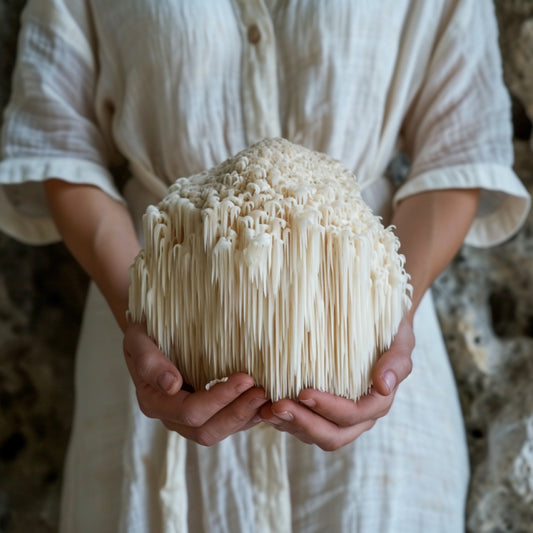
[[147, 364]]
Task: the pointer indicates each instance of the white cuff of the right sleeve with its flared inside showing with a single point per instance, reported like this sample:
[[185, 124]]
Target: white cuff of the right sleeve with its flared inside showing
[[503, 205]]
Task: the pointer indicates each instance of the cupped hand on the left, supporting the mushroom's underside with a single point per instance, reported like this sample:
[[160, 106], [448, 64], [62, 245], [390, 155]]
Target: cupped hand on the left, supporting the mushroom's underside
[[206, 416]]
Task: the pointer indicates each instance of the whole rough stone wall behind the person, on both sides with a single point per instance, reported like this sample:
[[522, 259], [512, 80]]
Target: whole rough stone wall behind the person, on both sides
[[485, 304]]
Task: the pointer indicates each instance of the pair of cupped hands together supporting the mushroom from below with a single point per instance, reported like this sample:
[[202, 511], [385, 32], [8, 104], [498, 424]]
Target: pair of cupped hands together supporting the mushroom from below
[[209, 416]]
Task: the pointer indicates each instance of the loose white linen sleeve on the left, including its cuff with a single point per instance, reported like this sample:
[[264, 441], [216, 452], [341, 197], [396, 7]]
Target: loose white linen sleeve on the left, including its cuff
[[50, 127]]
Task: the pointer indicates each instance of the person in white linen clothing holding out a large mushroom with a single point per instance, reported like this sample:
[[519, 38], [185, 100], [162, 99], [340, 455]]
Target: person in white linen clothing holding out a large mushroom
[[174, 87]]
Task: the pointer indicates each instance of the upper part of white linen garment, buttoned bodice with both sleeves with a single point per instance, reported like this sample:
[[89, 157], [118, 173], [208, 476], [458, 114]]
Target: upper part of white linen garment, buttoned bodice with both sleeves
[[173, 87]]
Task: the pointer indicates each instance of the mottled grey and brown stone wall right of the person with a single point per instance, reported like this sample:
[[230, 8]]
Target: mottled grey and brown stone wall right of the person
[[485, 304]]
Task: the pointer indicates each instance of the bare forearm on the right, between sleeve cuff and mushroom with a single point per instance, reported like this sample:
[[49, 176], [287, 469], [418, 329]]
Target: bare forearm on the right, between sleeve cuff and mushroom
[[431, 227]]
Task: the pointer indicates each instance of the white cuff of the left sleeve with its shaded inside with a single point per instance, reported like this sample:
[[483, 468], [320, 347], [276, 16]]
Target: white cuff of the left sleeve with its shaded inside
[[24, 213]]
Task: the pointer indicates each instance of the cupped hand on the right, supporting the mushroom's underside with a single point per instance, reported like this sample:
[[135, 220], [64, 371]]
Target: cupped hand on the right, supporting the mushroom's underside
[[332, 422]]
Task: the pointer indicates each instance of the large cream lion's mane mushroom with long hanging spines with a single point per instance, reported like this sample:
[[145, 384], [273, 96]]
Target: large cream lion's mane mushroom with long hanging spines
[[272, 264]]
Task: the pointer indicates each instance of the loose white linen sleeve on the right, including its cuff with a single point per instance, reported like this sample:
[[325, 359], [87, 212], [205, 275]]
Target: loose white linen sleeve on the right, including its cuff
[[458, 131]]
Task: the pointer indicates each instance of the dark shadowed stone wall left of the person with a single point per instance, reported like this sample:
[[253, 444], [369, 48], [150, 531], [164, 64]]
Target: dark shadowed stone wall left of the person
[[41, 296]]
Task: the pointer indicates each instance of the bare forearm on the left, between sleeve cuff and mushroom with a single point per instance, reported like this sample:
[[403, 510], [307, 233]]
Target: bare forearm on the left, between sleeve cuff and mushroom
[[99, 233]]
